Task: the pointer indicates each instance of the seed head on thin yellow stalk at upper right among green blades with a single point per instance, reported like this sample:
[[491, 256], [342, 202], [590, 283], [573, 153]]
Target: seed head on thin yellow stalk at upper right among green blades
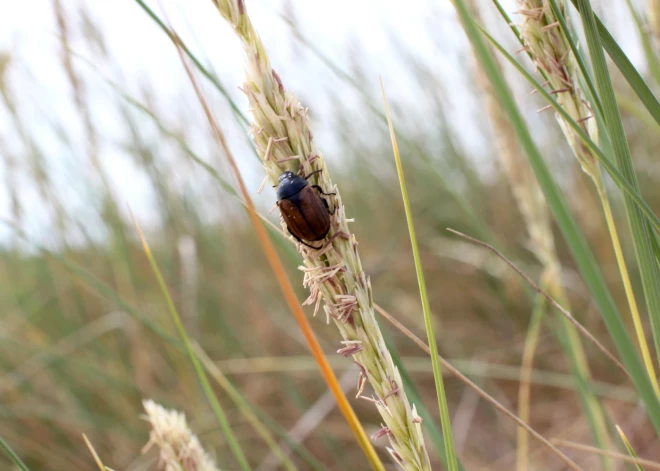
[[549, 46]]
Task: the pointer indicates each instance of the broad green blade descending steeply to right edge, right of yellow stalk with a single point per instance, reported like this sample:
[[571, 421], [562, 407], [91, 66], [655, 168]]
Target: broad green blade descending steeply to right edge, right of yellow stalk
[[649, 269]]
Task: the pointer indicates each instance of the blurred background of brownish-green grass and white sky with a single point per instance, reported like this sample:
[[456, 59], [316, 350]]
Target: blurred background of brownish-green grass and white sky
[[97, 116]]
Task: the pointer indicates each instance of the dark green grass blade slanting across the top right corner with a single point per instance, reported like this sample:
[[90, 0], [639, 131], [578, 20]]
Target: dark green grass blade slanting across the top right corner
[[632, 76]]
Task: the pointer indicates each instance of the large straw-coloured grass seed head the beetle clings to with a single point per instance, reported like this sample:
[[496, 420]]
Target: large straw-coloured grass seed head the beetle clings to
[[334, 274]]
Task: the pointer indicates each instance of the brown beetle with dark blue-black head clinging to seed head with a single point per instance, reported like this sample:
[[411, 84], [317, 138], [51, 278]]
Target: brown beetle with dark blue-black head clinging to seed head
[[305, 212]]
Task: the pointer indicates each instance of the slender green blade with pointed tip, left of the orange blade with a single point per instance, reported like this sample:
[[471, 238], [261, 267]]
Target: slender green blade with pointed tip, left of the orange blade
[[199, 370]]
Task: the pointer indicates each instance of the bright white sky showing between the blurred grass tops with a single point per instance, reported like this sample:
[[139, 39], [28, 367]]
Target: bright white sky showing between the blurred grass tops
[[142, 56]]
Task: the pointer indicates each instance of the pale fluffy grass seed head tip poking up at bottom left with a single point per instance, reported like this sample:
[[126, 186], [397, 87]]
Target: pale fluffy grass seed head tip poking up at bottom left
[[179, 448]]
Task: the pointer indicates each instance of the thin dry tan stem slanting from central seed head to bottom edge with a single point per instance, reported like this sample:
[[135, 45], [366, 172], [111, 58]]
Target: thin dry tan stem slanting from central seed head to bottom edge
[[487, 397]]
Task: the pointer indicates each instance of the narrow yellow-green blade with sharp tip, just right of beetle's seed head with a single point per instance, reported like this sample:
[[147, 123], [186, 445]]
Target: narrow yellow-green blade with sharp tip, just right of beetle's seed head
[[452, 461]]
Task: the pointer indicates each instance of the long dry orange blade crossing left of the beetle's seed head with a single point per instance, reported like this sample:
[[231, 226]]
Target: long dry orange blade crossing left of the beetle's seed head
[[283, 280]]
